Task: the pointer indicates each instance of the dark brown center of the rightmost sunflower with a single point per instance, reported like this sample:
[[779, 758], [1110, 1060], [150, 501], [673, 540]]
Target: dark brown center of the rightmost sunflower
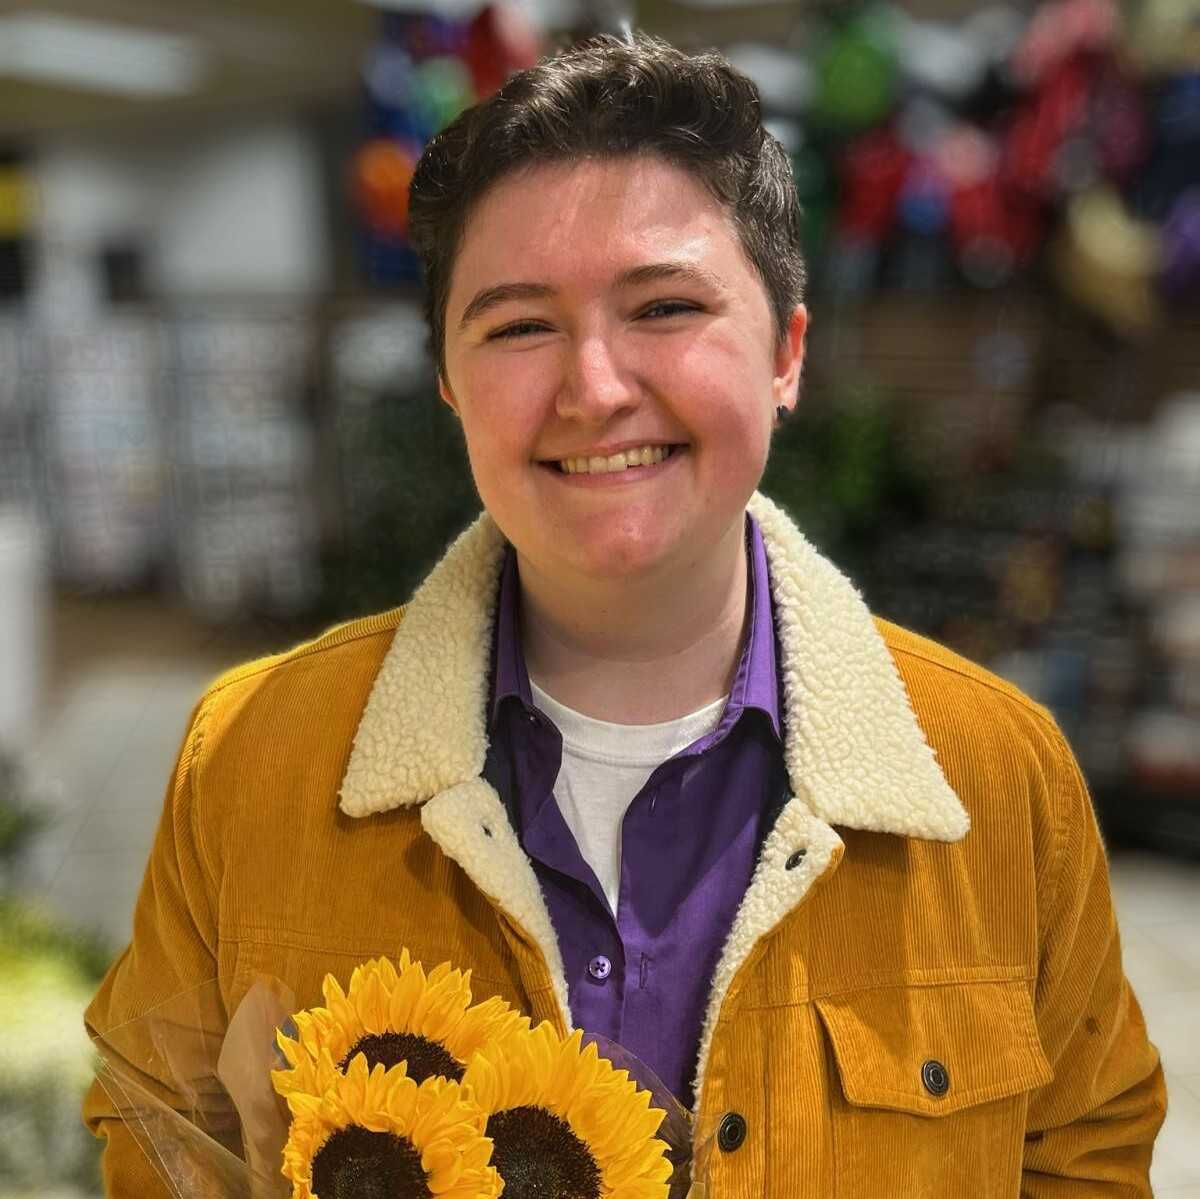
[[539, 1158]]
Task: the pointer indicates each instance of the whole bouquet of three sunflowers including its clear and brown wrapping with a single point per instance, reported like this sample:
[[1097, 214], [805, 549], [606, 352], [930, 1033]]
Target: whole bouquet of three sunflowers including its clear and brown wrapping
[[398, 1087]]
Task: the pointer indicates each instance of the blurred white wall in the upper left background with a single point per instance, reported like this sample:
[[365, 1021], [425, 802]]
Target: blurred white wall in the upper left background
[[235, 212]]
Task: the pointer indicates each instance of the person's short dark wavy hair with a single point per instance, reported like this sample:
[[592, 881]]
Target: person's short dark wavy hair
[[610, 98]]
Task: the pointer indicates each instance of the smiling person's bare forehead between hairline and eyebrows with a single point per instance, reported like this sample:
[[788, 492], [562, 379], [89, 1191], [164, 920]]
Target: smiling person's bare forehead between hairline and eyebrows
[[590, 221]]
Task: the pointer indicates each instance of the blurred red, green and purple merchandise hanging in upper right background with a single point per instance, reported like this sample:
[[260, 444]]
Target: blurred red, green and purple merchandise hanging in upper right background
[[933, 155]]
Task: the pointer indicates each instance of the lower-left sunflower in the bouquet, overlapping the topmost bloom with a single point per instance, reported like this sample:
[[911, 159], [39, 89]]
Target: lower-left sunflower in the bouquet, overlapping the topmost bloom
[[380, 1135]]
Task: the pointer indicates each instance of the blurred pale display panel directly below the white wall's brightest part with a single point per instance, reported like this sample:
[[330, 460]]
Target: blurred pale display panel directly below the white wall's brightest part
[[243, 514]]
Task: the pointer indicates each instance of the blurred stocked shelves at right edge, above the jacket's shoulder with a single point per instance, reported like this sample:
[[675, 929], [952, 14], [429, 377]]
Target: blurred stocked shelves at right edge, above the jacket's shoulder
[[1111, 610]]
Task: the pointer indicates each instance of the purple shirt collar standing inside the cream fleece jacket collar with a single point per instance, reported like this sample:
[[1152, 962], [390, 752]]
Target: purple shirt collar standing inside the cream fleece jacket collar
[[755, 684]]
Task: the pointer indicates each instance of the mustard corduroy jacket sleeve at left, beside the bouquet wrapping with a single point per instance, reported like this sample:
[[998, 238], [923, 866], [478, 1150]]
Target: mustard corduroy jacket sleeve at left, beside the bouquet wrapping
[[173, 951]]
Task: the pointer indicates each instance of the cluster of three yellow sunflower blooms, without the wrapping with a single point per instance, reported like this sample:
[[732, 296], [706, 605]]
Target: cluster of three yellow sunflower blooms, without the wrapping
[[401, 1087]]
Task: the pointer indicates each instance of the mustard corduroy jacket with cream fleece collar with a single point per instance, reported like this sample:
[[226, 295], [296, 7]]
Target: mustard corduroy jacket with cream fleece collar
[[922, 993]]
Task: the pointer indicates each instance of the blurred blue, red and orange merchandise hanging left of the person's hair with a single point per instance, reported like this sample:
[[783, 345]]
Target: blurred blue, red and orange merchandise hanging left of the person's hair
[[423, 71]]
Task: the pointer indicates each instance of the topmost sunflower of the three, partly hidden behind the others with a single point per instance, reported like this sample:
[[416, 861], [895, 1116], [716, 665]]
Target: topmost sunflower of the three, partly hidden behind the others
[[394, 1015]]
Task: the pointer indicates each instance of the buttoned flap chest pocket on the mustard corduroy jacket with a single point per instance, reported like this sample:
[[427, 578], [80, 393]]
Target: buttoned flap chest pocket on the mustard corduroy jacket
[[929, 1089]]
